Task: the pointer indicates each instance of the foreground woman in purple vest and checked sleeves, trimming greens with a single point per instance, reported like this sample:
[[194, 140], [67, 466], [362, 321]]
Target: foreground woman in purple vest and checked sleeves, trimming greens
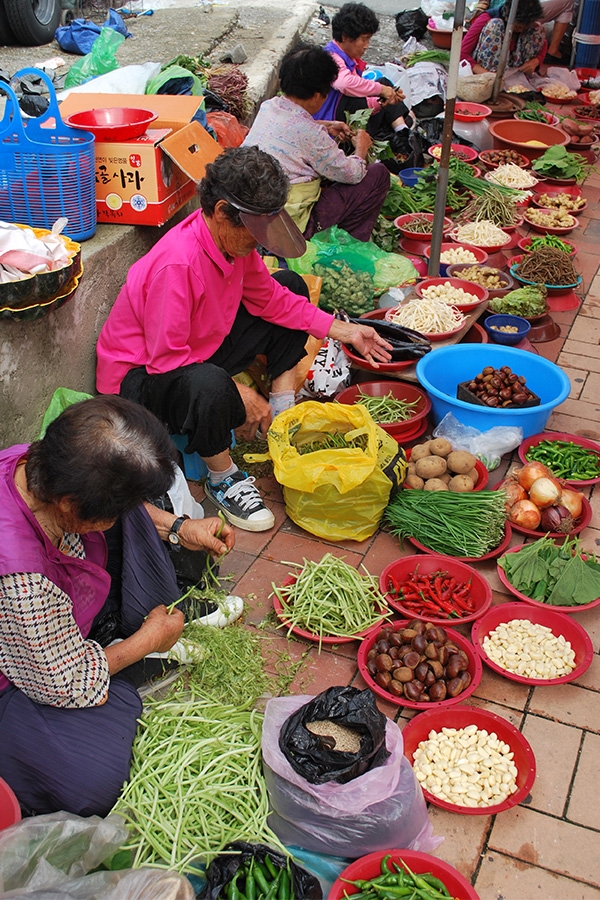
[[69, 704]]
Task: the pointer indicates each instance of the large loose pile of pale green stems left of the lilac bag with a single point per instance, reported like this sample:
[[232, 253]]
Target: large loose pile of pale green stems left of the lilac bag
[[195, 785]]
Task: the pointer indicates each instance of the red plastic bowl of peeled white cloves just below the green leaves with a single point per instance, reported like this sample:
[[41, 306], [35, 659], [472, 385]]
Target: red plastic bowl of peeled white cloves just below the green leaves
[[557, 622]]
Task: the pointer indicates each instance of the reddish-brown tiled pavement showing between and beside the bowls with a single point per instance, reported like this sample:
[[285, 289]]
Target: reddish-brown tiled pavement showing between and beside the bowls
[[548, 847]]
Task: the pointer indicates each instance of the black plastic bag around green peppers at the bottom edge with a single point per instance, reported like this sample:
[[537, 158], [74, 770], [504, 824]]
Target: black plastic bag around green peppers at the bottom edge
[[223, 868]]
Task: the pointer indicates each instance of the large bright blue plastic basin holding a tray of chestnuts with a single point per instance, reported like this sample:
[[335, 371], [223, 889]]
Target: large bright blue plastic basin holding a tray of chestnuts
[[440, 371]]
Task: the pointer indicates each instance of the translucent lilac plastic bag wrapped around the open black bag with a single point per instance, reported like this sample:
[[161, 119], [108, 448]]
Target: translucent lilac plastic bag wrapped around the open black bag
[[382, 808]]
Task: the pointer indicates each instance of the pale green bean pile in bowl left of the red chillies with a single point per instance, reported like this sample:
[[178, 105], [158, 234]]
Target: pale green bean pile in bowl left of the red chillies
[[331, 599]]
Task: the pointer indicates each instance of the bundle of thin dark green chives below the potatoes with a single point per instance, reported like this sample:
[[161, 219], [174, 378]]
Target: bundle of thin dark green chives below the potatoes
[[455, 524]]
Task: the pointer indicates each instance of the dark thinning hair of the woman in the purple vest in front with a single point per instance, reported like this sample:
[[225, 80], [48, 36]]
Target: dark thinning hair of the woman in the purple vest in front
[[106, 454]]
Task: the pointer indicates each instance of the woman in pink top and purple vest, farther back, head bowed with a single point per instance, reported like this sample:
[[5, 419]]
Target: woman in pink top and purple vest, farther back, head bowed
[[352, 28]]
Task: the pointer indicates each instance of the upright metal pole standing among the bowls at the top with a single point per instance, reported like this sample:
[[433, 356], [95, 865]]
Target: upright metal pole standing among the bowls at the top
[[442, 176]]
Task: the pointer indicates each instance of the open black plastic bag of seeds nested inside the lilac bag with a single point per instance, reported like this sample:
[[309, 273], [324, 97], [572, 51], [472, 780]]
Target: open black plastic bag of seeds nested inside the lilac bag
[[308, 753]]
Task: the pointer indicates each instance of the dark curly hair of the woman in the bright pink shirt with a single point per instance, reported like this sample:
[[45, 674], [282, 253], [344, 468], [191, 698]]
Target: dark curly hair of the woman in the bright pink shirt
[[250, 175]]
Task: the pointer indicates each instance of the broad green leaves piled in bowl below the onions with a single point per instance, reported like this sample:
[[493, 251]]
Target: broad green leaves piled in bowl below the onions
[[558, 576]]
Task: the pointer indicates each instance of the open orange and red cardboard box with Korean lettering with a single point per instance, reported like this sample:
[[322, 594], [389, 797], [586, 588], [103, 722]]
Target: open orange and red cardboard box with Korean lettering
[[145, 180]]
